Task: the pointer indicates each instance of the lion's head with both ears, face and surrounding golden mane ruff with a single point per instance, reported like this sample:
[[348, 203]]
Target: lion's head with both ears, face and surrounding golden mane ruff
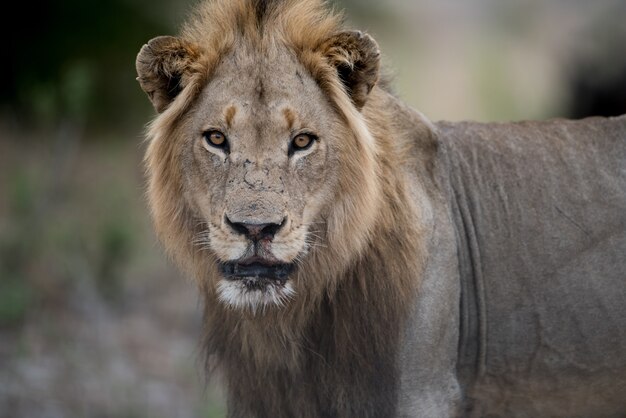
[[260, 164]]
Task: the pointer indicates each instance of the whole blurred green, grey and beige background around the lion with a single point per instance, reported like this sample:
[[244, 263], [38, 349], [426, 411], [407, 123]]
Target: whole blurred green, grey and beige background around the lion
[[94, 322]]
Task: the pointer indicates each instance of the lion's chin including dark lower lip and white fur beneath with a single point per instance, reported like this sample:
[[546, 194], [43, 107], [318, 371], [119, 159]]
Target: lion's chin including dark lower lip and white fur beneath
[[255, 287]]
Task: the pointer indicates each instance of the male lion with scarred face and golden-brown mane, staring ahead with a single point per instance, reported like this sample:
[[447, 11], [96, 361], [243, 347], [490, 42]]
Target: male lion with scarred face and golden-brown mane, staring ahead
[[356, 260]]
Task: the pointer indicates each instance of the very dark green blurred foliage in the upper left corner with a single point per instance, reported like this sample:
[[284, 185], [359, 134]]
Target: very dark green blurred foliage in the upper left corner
[[73, 61]]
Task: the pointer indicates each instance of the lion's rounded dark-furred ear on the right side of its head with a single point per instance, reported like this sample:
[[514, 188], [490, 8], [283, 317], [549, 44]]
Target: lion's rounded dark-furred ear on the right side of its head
[[357, 58]]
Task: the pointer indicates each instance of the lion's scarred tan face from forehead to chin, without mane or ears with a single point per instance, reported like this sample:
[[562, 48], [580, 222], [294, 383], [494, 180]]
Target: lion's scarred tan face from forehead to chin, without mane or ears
[[260, 166]]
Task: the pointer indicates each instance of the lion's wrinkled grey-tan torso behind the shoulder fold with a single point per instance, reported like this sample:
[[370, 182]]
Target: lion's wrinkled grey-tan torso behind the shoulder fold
[[540, 213]]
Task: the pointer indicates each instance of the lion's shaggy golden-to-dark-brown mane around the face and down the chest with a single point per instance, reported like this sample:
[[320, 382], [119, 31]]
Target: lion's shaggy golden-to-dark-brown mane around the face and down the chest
[[339, 342]]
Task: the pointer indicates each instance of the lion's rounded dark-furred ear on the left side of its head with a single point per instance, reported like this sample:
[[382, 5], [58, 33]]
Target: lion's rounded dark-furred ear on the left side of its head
[[163, 66]]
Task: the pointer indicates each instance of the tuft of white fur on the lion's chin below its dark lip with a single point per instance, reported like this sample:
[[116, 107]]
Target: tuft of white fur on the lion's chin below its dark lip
[[235, 294]]
